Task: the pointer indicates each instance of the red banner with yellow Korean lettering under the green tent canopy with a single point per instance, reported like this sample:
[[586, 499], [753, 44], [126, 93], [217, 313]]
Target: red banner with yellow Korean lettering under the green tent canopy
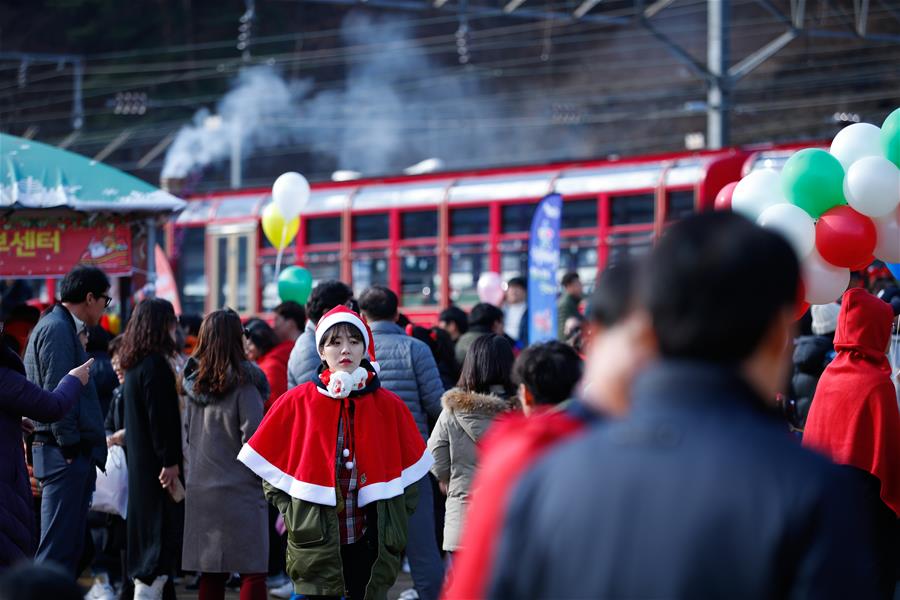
[[48, 251]]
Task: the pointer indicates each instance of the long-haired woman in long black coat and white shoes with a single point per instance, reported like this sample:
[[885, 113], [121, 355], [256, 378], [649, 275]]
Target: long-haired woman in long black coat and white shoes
[[153, 445]]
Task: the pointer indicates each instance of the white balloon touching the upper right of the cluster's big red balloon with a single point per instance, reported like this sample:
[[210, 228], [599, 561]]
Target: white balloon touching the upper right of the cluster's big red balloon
[[872, 186]]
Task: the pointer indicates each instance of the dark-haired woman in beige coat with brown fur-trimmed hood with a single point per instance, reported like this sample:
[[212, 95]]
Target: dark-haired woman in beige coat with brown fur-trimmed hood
[[483, 392]]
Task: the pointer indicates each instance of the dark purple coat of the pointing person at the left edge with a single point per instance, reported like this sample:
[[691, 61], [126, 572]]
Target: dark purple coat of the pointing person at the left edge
[[21, 398]]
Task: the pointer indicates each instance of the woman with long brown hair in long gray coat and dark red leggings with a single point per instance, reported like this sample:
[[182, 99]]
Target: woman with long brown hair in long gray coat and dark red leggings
[[226, 517]]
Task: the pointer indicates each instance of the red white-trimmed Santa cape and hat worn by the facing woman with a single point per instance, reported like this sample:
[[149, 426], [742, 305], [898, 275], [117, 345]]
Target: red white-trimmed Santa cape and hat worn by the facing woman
[[295, 446]]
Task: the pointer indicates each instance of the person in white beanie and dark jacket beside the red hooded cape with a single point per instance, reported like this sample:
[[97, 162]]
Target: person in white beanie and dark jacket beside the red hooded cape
[[812, 353]]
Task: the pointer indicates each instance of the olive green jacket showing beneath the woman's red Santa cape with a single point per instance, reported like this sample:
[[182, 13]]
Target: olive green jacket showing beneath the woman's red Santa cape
[[314, 550]]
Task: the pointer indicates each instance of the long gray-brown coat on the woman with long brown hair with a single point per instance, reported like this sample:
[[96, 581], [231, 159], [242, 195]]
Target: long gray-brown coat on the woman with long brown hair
[[226, 516]]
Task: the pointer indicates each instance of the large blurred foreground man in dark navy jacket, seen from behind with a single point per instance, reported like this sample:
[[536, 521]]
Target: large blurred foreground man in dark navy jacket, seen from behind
[[699, 492]]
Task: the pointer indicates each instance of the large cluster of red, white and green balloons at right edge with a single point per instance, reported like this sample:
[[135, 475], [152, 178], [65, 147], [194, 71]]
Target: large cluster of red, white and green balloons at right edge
[[837, 208]]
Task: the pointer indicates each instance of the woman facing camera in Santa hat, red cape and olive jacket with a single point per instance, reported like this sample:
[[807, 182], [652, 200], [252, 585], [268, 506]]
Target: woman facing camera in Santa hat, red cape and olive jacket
[[339, 457]]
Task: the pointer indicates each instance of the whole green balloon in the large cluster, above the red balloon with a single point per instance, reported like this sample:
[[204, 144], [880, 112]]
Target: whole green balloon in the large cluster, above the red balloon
[[813, 179]]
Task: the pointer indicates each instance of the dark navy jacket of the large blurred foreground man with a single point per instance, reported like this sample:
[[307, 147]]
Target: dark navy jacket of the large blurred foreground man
[[699, 493]]
